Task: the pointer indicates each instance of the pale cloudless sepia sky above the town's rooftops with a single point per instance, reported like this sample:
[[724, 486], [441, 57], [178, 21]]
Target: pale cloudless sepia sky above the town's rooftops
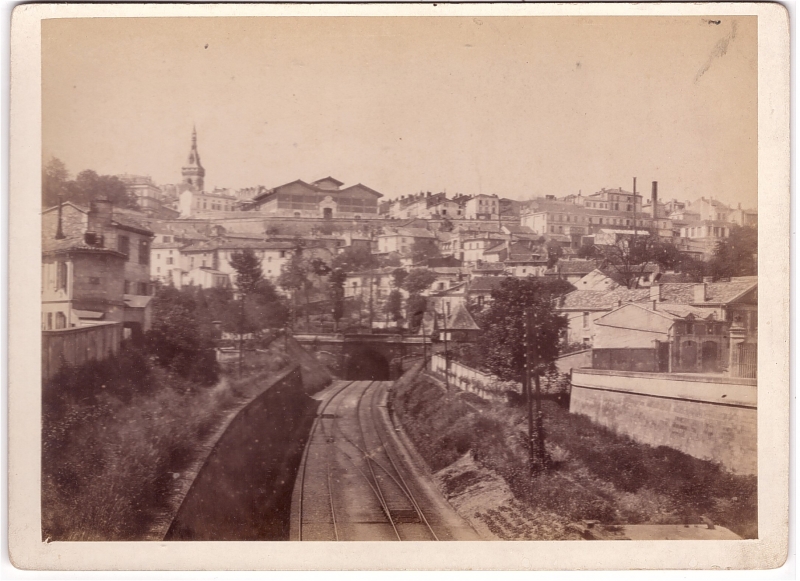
[[518, 107]]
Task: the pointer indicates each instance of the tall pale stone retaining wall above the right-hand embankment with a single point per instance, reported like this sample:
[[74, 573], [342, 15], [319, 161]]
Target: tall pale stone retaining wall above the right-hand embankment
[[708, 417]]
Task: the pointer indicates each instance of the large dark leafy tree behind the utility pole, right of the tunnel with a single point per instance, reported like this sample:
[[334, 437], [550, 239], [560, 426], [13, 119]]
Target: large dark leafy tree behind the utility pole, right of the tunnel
[[503, 323]]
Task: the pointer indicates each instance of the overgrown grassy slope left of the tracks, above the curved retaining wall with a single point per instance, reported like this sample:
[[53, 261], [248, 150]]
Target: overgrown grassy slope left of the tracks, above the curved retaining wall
[[119, 435]]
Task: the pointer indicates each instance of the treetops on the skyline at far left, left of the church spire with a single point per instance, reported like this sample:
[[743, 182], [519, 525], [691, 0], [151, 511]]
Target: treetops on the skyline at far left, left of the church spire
[[86, 187]]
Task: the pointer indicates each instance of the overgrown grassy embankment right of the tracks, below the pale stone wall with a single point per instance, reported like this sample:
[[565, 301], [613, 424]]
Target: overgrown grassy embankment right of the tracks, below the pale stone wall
[[596, 475]]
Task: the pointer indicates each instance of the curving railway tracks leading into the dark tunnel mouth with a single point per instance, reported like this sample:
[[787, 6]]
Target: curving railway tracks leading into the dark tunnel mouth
[[352, 485]]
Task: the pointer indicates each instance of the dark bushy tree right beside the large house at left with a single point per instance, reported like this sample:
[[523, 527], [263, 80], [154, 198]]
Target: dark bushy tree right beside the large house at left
[[176, 339]]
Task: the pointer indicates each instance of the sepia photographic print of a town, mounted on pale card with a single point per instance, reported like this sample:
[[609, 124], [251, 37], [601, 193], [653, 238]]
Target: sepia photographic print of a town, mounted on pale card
[[419, 278]]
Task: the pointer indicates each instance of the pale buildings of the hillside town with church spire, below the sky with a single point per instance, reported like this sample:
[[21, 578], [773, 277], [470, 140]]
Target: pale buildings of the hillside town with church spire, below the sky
[[181, 234]]
